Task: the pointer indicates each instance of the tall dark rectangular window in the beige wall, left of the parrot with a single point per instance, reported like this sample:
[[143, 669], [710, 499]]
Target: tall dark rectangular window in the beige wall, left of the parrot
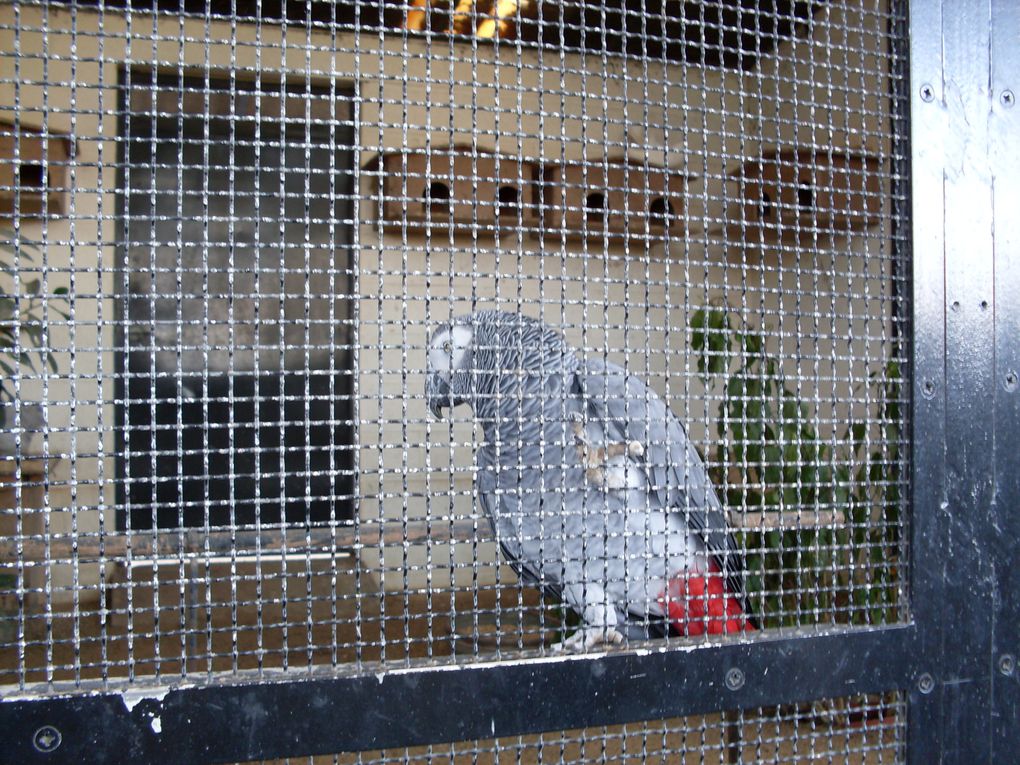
[[236, 398]]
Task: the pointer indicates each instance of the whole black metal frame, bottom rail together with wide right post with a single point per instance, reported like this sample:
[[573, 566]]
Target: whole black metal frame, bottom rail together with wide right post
[[955, 657]]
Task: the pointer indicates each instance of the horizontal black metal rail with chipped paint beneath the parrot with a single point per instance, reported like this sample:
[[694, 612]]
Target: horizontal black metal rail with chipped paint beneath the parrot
[[265, 720]]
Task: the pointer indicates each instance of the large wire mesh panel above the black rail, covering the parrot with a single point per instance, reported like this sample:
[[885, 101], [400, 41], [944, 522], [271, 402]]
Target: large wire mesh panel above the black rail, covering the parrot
[[356, 334]]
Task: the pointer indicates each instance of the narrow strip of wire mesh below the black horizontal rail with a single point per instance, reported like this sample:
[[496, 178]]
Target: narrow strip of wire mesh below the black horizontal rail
[[854, 730]]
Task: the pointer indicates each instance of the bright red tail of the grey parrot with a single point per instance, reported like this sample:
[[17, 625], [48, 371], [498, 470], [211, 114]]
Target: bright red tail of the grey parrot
[[699, 603]]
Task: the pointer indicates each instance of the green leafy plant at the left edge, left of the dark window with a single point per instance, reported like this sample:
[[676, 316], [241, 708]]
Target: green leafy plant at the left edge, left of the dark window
[[24, 314]]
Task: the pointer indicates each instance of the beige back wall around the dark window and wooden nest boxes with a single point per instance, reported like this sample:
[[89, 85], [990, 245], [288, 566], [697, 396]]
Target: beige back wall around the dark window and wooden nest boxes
[[520, 103]]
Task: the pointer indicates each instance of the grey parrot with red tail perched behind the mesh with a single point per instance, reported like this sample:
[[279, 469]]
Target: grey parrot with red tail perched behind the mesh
[[592, 487]]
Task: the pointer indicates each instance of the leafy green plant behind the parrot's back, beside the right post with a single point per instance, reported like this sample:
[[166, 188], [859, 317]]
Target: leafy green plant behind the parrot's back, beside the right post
[[771, 458]]
